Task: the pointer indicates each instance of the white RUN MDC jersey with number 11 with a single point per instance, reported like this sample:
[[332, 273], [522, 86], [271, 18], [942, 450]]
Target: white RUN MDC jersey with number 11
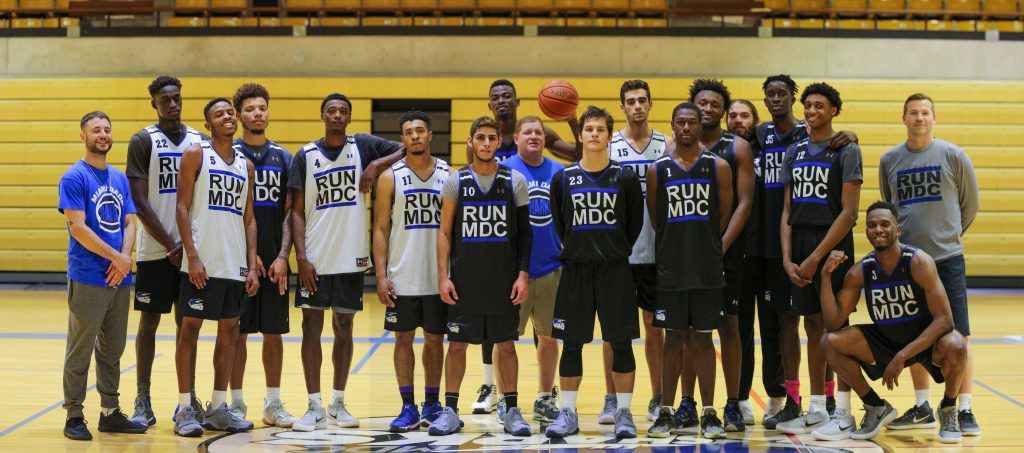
[[416, 217]]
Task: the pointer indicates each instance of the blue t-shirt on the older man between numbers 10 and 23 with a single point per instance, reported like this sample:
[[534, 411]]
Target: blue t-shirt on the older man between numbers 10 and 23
[[547, 246]]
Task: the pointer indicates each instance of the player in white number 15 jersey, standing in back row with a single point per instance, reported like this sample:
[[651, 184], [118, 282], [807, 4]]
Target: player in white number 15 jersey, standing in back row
[[636, 147]]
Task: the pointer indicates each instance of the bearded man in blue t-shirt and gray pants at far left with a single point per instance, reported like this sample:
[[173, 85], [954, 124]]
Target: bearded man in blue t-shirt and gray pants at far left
[[98, 204]]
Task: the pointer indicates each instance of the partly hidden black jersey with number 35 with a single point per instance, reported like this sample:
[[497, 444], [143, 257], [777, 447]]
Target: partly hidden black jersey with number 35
[[773, 147]]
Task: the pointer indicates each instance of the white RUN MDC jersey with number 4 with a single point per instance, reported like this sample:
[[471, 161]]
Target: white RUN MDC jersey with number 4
[[337, 231]]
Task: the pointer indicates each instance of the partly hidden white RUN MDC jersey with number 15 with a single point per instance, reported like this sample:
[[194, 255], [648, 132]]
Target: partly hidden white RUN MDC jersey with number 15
[[621, 151]]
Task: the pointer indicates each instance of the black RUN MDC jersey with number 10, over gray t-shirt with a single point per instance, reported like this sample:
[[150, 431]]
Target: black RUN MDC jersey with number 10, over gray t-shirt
[[485, 258]]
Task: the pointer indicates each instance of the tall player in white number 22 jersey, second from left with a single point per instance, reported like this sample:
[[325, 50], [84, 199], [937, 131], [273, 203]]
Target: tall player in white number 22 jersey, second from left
[[153, 174]]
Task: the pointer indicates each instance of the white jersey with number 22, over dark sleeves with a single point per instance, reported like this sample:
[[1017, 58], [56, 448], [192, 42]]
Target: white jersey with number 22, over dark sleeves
[[163, 181]]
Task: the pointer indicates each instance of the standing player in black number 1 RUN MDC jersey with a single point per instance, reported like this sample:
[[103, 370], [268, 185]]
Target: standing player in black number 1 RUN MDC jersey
[[690, 196]]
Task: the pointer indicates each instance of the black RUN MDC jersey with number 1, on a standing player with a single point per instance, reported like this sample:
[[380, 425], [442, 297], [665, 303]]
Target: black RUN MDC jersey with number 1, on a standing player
[[689, 237]]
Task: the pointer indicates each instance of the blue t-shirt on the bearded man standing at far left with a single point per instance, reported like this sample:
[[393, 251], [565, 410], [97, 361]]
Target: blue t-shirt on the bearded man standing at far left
[[105, 198]]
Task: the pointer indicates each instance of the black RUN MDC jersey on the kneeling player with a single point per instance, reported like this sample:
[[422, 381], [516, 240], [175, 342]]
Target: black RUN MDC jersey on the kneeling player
[[895, 303]]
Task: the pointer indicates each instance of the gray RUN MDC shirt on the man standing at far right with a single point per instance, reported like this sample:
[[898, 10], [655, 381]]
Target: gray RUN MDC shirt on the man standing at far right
[[936, 192]]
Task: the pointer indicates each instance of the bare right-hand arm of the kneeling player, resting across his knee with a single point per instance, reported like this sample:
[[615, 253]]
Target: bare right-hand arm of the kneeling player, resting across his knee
[[924, 274]]
